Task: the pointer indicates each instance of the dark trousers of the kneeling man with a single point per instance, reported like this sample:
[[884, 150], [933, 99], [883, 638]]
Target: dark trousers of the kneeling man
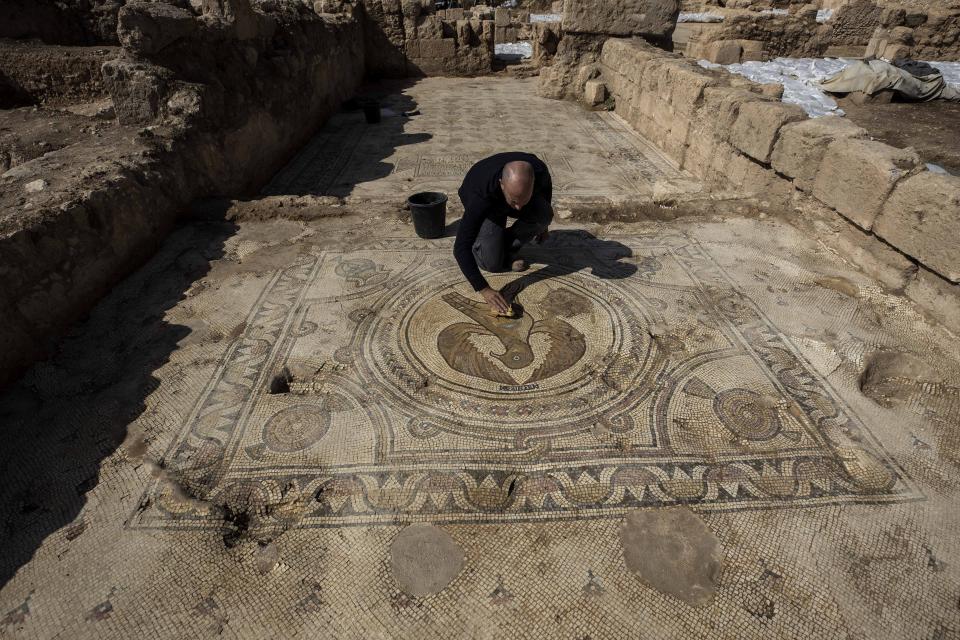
[[496, 246]]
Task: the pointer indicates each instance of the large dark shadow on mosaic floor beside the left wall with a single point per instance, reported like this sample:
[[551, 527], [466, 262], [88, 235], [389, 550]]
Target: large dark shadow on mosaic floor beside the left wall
[[69, 413]]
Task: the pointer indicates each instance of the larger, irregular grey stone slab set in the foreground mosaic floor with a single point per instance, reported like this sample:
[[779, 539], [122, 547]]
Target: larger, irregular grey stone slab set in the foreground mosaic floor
[[674, 552]]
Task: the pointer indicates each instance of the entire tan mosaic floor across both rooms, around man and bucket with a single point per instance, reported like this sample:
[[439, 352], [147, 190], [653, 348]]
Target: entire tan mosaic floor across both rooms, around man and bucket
[[308, 427]]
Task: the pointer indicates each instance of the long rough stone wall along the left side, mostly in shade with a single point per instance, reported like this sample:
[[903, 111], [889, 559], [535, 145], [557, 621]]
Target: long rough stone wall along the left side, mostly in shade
[[209, 103]]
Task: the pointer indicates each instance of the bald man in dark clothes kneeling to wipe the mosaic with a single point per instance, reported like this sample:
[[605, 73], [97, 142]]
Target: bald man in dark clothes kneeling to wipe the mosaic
[[515, 185]]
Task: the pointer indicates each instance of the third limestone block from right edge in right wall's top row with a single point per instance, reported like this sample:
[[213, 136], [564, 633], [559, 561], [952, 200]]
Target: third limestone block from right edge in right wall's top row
[[801, 146]]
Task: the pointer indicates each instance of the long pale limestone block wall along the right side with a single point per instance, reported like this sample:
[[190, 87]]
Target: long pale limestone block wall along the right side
[[729, 131]]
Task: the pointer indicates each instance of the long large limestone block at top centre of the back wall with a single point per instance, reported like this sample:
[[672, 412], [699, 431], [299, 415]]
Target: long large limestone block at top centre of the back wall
[[621, 17]]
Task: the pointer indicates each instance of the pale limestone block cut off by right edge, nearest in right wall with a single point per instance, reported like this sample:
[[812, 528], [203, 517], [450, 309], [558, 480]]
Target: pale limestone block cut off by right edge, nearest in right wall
[[922, 218]]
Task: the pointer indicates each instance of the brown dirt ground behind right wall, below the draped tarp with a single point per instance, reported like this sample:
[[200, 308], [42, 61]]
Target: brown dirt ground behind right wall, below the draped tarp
[[932, 128]]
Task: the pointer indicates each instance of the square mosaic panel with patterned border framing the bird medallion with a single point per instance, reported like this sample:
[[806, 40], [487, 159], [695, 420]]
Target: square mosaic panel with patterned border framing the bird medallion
[[637, 375]]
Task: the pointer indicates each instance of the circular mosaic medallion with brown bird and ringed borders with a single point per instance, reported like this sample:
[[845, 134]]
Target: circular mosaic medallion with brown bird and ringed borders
[[578, 352]]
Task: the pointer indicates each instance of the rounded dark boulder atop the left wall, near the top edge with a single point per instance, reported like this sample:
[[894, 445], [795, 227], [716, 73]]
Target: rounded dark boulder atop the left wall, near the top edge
[[147, 27]]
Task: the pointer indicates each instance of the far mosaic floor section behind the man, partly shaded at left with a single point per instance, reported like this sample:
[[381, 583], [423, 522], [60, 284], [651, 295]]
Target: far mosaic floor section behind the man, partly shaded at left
[[593, 156]]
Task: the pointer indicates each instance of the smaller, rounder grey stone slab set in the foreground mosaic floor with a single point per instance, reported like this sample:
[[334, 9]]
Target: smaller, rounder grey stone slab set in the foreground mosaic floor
[[424, 559]]
